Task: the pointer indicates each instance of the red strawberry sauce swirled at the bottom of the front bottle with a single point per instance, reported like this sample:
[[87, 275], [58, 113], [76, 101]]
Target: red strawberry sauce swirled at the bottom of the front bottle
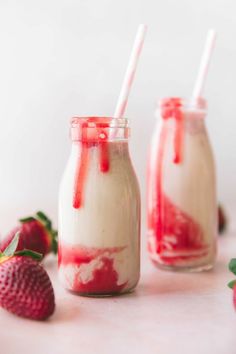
[[103, 278]]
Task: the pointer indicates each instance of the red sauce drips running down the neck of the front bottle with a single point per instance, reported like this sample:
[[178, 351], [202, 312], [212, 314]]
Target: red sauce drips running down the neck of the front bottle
[[93, 133]]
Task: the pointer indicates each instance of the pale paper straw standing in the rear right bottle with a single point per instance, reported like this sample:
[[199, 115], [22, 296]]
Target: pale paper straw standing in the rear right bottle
[[204, 65]]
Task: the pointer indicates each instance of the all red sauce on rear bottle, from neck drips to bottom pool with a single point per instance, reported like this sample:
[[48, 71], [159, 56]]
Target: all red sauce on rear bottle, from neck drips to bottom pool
[[177, 236]]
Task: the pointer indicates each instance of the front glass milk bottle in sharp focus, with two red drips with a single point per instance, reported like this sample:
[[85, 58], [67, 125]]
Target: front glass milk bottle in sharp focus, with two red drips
[[99, 210]]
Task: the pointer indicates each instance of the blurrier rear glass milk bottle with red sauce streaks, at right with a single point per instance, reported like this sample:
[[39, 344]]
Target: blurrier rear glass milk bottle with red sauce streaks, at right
[[182, 208]]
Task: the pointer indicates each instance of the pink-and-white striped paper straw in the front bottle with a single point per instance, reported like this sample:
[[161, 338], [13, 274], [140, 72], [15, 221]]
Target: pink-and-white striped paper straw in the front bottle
[[130, 72]]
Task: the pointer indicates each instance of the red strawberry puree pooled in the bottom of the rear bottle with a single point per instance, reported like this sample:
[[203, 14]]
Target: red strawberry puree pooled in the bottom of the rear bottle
[[177, 238]]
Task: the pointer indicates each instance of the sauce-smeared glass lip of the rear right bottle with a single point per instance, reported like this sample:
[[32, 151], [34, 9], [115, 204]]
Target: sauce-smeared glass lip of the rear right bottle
[[182, 103]]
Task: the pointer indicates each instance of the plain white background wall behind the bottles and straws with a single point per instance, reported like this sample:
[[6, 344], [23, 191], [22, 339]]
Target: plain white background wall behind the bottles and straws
[[64, 58]]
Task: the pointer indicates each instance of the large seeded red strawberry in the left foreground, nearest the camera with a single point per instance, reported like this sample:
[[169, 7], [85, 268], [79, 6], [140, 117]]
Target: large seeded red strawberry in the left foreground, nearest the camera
[[25, 288]]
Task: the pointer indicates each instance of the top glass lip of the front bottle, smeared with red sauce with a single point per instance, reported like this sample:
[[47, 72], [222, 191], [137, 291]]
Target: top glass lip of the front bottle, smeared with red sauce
[[99, 122]]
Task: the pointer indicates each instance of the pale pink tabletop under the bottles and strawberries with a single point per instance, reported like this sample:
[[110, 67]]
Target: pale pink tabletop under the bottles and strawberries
[[168, 313]]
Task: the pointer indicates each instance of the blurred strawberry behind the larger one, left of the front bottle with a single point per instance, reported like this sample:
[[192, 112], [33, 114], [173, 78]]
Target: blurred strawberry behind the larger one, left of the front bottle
[[36, 234]]
